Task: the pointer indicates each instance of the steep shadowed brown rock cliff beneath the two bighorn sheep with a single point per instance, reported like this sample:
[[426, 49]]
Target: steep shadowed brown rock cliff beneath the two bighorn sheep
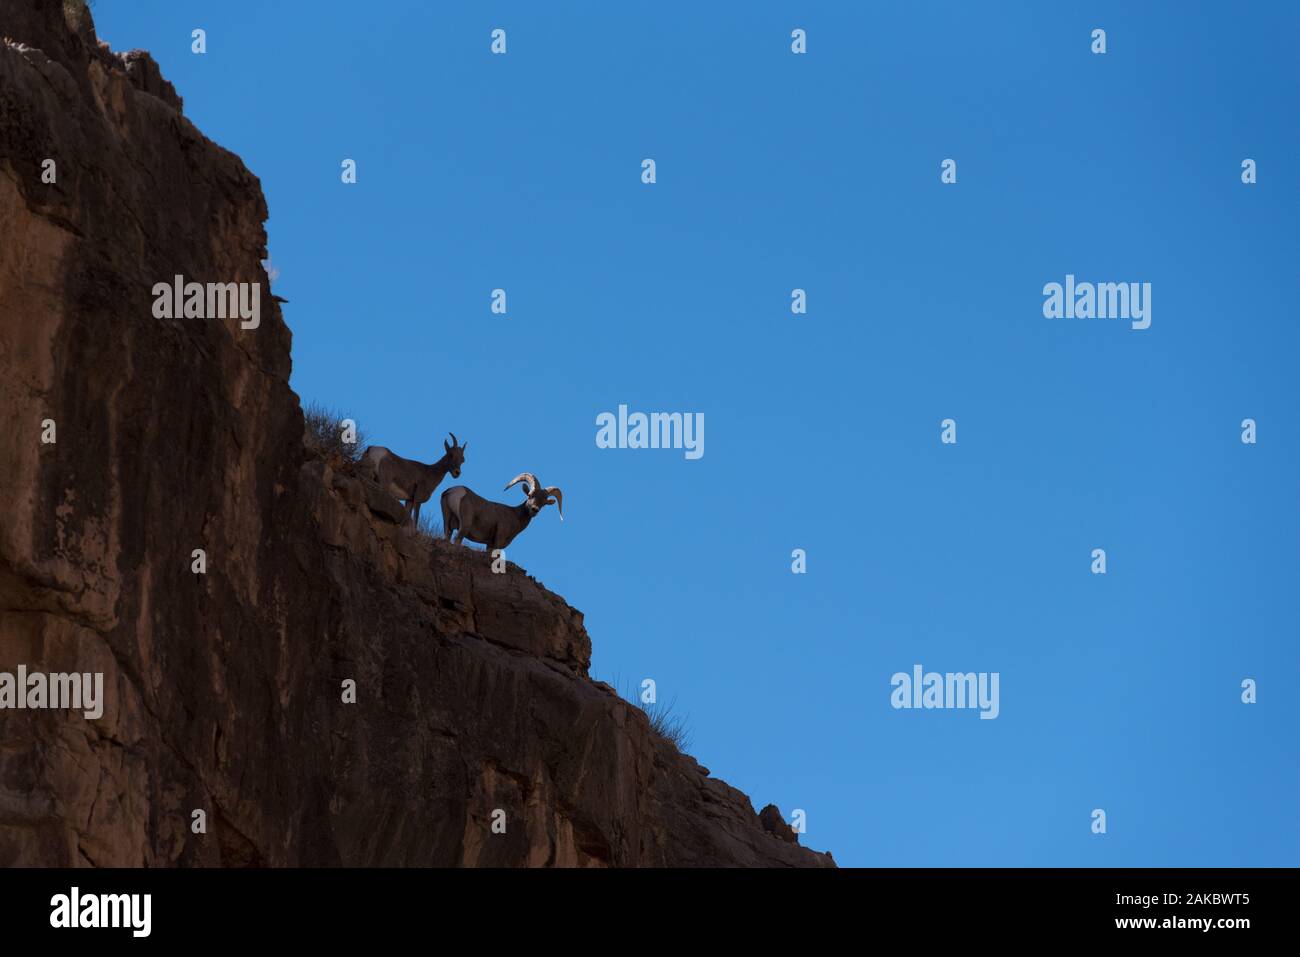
[[224, 691]]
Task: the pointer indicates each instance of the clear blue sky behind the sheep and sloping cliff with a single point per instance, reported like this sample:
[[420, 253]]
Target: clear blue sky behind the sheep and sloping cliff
[[822, 431]]
